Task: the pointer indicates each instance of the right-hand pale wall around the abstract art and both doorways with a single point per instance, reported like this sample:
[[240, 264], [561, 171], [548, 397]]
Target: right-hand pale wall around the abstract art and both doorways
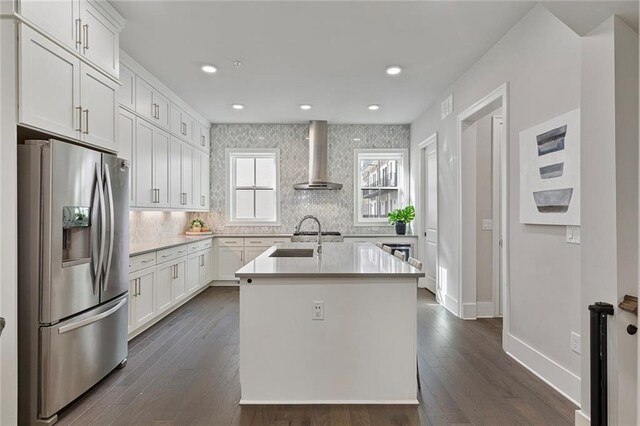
[[540, 60]]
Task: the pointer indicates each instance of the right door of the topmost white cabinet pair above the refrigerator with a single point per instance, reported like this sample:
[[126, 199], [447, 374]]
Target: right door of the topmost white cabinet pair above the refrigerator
[[100, 38]]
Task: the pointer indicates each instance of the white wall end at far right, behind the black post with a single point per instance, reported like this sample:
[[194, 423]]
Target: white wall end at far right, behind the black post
[[609, 165]]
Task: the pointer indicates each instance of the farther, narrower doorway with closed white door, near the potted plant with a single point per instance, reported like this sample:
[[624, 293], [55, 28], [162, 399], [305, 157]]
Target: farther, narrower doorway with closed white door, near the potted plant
[[429, 209]]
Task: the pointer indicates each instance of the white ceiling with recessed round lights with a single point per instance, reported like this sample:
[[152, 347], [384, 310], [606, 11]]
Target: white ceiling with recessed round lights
[[328, 54]]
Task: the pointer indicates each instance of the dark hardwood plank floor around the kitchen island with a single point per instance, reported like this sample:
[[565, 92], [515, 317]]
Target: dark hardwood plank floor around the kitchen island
[[184, 370]]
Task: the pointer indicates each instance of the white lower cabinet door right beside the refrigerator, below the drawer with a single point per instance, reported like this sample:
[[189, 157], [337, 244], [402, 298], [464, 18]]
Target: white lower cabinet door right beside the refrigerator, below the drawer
[[142, 307]]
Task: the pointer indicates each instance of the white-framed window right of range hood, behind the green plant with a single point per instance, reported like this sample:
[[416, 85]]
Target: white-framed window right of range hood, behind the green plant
[[380, 184]]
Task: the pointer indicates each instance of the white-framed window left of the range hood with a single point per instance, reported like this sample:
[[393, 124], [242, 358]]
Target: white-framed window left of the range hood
[[253, 186]]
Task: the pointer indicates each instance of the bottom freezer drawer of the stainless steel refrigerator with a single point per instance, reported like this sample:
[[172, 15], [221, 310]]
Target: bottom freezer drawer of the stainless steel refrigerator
[[77, 353]]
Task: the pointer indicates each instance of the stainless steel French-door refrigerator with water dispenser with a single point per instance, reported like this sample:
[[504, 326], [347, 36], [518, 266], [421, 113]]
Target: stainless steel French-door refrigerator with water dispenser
[[73, 254]]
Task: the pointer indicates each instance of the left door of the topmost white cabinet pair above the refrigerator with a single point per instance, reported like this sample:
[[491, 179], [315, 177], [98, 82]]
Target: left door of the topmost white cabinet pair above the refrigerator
[[57, 18]]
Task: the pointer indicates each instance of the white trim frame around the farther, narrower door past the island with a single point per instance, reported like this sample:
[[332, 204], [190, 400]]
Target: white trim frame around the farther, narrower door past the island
[[423, 146]]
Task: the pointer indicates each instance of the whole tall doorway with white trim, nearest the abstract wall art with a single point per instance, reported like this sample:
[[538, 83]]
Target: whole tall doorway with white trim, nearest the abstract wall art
[[471, 221]]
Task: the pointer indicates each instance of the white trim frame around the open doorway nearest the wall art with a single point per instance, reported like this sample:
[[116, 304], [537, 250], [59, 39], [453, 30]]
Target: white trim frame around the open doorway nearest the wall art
[[488, 103]]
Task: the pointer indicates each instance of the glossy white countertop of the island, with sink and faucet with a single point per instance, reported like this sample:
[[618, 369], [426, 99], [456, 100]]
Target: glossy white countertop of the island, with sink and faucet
[[337, 260]]
